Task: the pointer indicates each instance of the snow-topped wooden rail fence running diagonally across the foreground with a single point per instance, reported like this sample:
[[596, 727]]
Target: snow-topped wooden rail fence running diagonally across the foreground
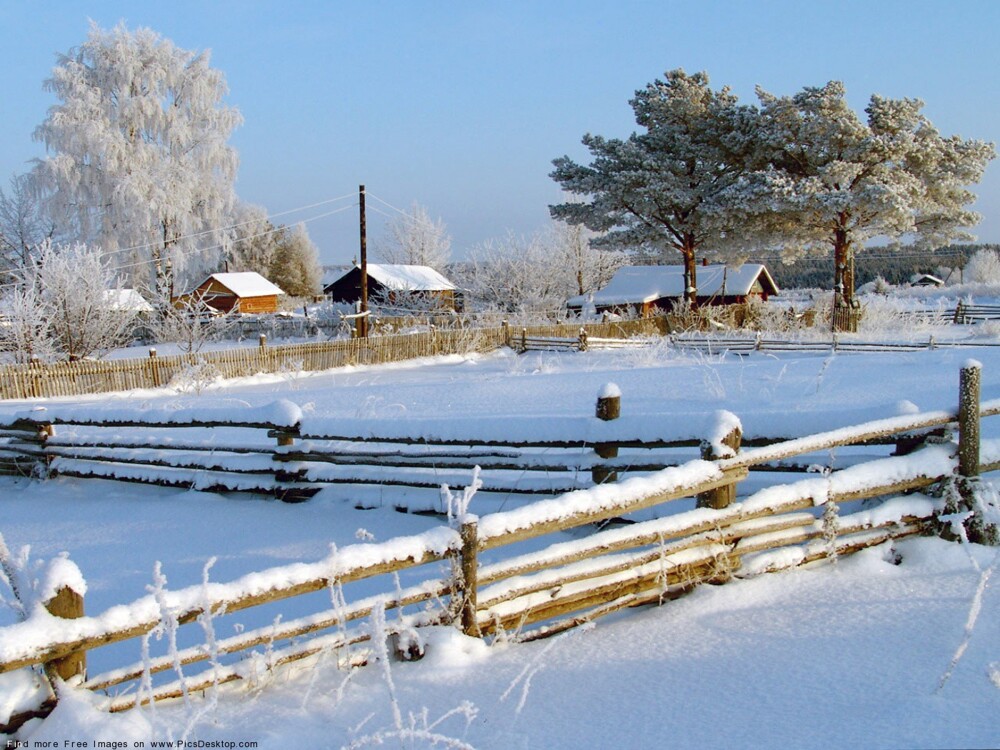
[[524, 596]]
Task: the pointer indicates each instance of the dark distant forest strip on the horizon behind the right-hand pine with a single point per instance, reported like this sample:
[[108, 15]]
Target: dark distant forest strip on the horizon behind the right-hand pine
[[895, 266]]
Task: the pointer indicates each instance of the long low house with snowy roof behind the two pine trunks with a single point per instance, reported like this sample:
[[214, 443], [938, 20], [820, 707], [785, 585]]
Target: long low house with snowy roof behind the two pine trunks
[[644, 290]]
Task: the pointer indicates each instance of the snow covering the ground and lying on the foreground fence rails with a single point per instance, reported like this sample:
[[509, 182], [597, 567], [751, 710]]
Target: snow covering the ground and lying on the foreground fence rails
[[841, 655]]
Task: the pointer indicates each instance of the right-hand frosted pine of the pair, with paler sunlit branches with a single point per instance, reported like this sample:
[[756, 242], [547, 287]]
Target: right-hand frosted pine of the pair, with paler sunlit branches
[[824, 179]]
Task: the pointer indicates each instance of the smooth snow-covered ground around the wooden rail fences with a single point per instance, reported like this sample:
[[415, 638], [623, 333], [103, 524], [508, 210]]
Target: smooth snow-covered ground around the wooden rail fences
[[834, 656]]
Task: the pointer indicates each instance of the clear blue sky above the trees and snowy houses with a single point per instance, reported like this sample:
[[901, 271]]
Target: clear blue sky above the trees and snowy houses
[[461, 106]]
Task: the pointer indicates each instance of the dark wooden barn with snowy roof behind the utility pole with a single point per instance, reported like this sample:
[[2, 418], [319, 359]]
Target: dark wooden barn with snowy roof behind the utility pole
[[420, 287]]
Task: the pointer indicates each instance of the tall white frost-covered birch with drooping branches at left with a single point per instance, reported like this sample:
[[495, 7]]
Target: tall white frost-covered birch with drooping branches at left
[[138, 149]]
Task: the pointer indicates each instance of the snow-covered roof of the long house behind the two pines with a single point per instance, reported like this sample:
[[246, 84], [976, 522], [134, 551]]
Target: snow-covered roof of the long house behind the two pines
[[638, 284]]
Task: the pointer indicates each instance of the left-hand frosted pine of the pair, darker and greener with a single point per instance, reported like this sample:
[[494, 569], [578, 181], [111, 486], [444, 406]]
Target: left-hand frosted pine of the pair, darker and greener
[[662, 188]]
